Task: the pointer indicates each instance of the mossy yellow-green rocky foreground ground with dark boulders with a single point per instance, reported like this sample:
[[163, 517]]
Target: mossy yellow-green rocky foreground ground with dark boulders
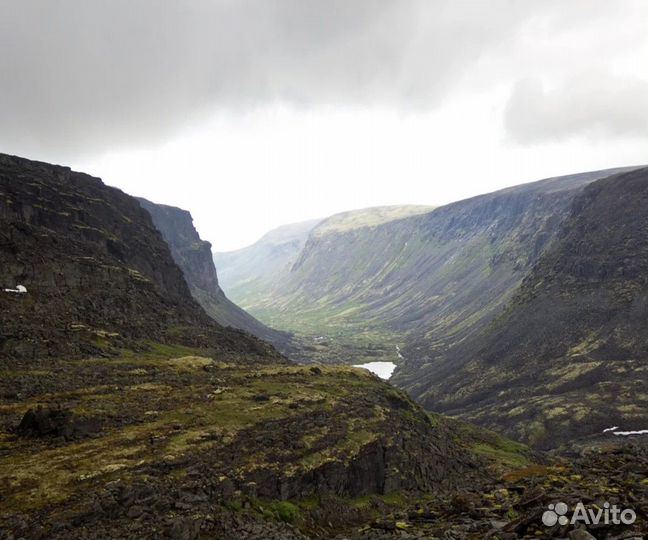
[[172, 443]]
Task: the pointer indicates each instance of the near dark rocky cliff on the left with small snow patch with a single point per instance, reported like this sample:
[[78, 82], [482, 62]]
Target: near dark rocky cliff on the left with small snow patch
[[97, 272]]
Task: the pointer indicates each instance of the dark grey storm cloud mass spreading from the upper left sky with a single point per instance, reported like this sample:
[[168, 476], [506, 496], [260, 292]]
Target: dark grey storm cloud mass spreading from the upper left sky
[[84, 75]]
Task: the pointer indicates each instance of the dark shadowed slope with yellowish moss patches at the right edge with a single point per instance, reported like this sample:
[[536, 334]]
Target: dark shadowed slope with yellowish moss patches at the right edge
[[568, 356]]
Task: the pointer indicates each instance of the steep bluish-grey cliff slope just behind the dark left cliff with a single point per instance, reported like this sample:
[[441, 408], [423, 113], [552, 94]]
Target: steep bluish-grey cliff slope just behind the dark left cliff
[[194, 257]]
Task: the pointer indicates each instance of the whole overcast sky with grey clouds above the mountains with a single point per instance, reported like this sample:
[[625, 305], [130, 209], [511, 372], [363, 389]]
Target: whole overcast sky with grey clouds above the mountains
[[254, 114]]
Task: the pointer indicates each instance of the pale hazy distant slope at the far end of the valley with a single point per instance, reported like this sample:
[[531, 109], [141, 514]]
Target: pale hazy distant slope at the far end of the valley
[[249, 274]]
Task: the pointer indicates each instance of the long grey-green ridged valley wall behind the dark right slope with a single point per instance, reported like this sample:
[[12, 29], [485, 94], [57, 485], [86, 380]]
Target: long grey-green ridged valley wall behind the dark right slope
[[443, 274]]
